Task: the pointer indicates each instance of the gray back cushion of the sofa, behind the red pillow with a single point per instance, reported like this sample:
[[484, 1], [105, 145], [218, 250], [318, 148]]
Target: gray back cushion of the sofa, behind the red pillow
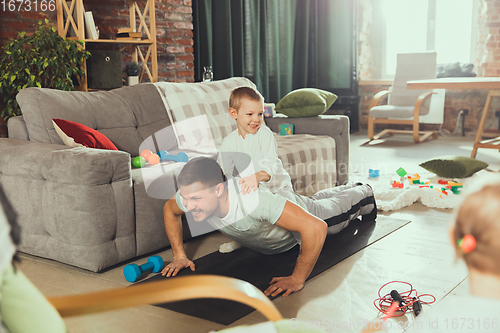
[[126, 115]]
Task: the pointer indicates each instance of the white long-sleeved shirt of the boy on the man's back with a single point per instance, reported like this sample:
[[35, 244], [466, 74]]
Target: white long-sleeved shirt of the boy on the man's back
[[261, 147]]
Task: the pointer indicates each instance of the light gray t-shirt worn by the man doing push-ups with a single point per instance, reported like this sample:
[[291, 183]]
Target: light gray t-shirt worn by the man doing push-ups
[[251, 219]]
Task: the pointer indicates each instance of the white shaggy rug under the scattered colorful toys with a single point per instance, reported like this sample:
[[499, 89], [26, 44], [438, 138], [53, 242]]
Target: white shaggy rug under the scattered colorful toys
[[389, 198]]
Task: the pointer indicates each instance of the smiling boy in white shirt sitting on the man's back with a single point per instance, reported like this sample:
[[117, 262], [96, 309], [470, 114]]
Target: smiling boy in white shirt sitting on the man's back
[[251, 139]]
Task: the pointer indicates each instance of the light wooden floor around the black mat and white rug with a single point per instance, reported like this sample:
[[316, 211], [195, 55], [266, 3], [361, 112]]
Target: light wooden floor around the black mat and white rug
[[340, 299]]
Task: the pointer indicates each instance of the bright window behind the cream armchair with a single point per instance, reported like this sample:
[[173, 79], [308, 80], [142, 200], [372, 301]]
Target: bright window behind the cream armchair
[[446, 26]]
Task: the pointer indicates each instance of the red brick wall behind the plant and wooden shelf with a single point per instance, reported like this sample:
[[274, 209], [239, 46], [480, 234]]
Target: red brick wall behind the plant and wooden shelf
[[174, 31]]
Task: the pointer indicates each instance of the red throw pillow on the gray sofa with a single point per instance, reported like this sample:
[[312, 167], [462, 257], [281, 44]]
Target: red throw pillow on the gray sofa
[[75, 135]]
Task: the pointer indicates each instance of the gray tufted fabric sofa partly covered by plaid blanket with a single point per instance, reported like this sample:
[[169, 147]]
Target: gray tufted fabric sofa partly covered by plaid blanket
[[87, 207]]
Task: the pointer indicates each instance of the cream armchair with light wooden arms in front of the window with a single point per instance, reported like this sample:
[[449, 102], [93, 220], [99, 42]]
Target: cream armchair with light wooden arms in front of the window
[[409, 107]]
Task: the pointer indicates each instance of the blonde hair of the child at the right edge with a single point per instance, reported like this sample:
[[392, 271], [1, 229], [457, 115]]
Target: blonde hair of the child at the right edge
[[479, 216]]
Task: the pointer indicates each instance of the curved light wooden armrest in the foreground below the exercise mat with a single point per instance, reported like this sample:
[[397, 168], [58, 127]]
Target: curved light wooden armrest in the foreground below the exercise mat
[[170, 290]]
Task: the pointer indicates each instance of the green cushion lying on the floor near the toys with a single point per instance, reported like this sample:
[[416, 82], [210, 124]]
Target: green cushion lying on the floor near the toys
[[454, 166]]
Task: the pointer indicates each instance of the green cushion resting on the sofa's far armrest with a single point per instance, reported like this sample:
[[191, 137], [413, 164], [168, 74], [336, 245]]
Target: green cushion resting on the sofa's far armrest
[[306, 102]]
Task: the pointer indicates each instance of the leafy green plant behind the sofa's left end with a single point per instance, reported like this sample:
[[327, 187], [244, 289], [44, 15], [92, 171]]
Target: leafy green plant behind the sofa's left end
[[43, 59]]
